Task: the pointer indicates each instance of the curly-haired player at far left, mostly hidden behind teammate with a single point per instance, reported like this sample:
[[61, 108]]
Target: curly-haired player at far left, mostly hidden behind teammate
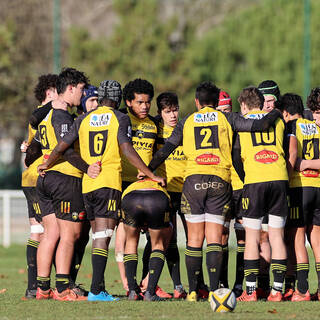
[[45, 91]]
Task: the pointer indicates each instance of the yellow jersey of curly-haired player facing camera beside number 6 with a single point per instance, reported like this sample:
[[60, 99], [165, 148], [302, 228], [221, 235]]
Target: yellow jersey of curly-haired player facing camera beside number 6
[[144, 134]]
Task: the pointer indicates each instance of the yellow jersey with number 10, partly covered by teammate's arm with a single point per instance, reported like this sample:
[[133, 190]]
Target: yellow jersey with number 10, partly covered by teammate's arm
[[263, 153]]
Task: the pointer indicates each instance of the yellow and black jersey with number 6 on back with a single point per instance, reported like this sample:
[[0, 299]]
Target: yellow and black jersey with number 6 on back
[[100, 134]]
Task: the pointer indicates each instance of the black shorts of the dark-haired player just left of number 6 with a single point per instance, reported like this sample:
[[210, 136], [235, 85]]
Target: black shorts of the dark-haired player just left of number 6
[[61, 194]]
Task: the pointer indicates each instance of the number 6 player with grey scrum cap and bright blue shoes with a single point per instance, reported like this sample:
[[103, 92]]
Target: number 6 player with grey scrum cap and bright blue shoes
[[102, 133]]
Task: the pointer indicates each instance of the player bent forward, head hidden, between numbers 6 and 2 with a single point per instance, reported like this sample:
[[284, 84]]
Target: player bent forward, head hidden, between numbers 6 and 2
[[145, 204]]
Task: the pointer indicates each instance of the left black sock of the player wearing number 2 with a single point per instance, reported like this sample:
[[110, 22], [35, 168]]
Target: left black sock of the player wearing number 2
[[194, 266]]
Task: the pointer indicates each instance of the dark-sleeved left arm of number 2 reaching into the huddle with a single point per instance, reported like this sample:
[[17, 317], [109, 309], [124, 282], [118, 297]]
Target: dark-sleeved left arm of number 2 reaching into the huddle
[[171, 144]]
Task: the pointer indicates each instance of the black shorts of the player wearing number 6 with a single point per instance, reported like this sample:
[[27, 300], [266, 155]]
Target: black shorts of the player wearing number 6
[[103, 203]]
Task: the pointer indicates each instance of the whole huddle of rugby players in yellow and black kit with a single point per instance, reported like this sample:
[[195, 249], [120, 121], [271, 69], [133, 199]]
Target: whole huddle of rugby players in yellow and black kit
[[90, 165]]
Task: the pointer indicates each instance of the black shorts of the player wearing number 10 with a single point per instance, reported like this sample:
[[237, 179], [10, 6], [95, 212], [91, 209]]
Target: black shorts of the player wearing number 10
[[261, 199]]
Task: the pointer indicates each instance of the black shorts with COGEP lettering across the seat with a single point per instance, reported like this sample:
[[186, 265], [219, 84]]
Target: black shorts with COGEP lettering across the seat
[[206, 194]]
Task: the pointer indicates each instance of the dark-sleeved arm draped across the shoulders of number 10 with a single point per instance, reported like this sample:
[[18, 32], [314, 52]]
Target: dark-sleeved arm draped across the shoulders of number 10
[[241, 124]]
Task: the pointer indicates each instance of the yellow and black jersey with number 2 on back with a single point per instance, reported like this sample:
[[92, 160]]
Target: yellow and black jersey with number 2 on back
[[206, 136]]
